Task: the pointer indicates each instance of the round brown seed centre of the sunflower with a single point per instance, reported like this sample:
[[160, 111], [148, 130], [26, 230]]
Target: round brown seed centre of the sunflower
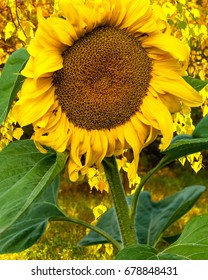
[[104, 78]]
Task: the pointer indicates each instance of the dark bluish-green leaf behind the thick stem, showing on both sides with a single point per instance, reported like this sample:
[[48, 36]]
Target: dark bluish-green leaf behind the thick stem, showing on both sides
[[152, 218]]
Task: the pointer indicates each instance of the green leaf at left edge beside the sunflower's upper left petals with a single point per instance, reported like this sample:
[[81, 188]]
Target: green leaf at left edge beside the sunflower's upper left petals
[[11, 81]]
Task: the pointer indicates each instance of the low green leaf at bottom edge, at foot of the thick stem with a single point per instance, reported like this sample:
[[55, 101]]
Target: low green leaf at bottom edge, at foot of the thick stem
[[144, 252]]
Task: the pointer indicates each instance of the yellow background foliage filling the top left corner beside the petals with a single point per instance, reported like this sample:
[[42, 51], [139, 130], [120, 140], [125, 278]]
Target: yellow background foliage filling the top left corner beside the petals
[[18, 22]]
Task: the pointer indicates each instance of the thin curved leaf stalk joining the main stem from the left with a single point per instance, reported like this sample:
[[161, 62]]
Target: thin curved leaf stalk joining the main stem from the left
[[94, 228]]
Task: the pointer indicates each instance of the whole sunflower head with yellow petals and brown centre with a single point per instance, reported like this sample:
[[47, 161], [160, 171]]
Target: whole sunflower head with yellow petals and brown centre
[[103, 76]]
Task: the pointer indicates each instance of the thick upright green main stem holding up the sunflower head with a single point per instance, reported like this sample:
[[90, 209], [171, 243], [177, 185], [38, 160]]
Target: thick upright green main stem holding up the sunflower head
[[127, 229]]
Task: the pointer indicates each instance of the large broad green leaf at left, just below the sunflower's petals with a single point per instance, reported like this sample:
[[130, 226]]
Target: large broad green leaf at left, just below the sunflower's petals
[[24, 174]]
